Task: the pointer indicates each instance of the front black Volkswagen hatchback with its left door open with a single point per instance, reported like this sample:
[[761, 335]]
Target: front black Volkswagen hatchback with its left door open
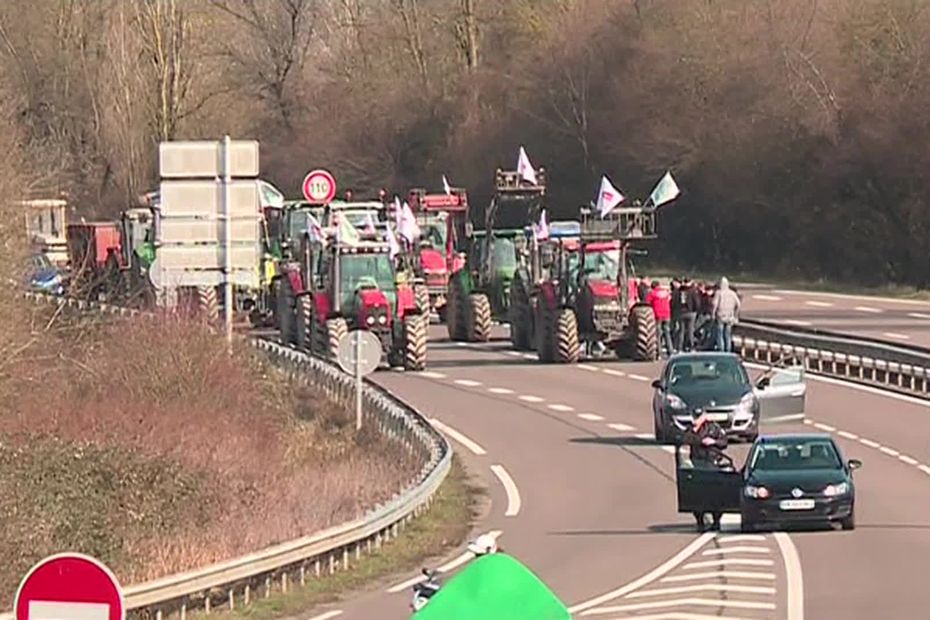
[[787, 479]]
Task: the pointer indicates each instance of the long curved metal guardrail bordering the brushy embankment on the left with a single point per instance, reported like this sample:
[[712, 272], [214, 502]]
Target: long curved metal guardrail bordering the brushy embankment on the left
[[237, 581]]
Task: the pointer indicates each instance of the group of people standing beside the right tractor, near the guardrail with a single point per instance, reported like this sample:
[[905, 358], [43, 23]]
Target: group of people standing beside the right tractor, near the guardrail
[[692, 315]]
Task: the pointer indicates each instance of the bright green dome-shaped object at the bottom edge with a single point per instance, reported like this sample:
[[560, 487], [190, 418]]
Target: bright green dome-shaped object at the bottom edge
[[494, 587]]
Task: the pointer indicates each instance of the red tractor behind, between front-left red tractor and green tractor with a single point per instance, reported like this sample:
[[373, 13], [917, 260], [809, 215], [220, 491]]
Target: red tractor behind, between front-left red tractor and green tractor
[[442, 219]]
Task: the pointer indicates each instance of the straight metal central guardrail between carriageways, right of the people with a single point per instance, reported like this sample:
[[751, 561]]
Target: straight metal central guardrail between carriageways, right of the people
[[905, 370]]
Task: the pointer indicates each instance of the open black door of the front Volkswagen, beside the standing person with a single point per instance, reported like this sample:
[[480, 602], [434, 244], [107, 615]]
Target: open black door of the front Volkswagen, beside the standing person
[[704, 487]]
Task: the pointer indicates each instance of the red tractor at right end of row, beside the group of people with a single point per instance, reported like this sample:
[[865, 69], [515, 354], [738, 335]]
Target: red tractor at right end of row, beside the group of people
[[590, 299]]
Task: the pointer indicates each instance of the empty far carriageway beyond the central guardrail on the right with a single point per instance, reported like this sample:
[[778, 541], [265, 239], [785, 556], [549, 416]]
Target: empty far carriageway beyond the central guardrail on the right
[[902, 321]]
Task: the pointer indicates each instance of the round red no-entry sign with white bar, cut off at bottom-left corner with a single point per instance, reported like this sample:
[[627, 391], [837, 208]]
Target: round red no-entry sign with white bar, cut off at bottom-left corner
[[69, 586]]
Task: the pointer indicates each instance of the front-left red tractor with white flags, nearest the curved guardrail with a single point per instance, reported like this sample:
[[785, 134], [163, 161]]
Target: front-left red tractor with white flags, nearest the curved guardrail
[[335, 286]]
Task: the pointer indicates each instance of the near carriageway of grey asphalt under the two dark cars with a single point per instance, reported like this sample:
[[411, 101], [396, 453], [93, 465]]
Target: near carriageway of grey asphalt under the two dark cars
[[589, 504]]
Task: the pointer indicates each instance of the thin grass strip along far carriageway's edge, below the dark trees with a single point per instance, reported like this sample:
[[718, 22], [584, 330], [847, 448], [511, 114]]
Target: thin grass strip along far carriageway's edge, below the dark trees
[[793, 282]]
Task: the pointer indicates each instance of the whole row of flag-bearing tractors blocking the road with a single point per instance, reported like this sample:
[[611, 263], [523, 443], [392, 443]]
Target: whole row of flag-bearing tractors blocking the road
[[387, 267]]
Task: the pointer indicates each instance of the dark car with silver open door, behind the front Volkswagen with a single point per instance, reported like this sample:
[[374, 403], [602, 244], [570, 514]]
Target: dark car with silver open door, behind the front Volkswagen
[[719, 386]]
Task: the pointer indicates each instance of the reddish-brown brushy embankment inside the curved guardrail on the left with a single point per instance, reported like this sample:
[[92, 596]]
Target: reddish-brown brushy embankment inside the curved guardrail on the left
[[144, 444]]
